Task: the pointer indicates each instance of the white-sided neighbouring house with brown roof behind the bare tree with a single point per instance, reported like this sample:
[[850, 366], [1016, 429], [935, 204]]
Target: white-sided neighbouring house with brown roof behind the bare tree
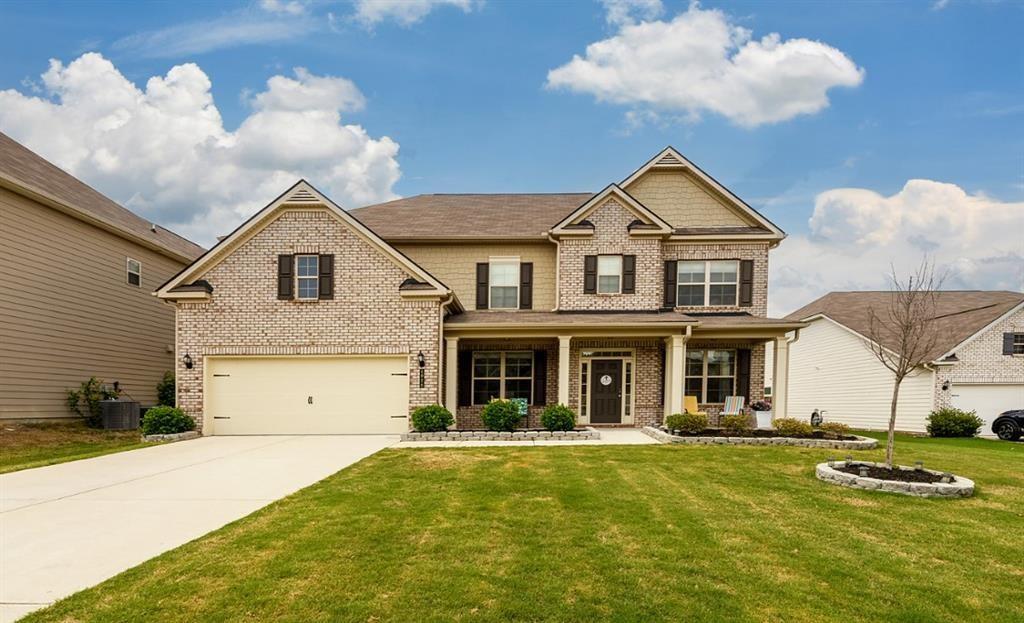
[[977, 365]]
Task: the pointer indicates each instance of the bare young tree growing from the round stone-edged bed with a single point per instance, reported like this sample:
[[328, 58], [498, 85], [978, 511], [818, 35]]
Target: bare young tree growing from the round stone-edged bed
[[903, 335]]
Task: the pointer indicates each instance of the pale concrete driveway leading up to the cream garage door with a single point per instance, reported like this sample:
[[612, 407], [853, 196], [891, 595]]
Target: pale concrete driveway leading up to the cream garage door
[[69, 527]]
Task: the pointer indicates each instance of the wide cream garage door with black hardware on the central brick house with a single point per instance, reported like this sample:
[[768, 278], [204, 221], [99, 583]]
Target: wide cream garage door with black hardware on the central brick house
[[308, 395]]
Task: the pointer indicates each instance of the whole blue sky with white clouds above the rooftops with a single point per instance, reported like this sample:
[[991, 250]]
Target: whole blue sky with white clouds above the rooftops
[[461, 91]]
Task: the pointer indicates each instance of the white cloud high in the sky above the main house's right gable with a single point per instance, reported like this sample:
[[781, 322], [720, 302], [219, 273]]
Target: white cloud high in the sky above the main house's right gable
[[701, 62]]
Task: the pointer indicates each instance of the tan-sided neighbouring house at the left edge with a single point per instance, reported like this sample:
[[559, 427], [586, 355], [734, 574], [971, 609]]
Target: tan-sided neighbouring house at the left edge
[[77, 275]]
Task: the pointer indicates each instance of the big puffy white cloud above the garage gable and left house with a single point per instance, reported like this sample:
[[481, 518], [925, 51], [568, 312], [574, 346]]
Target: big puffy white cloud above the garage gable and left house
[[164, 152]]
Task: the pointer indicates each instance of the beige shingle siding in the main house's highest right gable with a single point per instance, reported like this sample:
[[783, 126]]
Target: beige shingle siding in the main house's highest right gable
[[680, 199]]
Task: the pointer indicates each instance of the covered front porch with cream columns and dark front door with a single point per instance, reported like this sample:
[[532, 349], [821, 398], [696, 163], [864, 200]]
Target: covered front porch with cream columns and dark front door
[[629, 369]]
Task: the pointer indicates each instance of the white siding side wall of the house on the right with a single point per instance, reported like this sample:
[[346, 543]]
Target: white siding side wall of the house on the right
[[832, 369]]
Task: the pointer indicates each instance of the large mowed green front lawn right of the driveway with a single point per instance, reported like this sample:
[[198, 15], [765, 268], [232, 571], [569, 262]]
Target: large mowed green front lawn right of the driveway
[[653, 533]]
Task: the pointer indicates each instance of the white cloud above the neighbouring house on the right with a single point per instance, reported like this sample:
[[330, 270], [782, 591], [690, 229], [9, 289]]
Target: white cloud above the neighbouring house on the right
[[857, 235]]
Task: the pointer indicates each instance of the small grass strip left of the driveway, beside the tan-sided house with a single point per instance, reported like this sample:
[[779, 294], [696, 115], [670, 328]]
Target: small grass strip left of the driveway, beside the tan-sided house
[[35, 445]]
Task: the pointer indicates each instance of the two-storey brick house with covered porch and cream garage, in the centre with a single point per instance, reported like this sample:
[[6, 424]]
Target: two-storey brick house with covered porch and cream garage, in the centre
[[311, 319]]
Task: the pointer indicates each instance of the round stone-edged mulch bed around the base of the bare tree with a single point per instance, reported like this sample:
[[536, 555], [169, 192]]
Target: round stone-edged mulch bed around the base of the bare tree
[[907, 481]]
